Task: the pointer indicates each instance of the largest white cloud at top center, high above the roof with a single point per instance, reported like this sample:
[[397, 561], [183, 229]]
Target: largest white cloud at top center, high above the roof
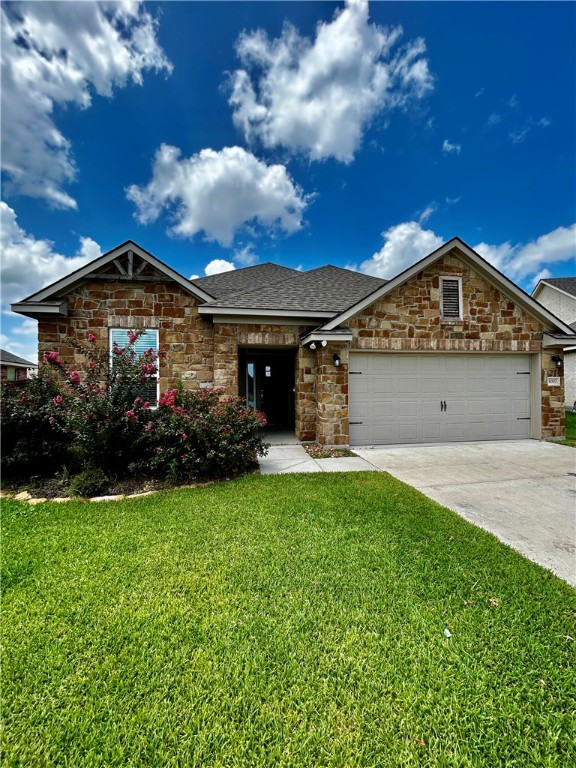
[[317, 96]]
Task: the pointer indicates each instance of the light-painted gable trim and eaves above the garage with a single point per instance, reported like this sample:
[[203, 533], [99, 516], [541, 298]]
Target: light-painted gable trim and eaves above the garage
[[469, 255]]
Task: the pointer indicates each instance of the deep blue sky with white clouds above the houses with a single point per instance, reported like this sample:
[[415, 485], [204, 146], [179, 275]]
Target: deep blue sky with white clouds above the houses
[[222, 134]]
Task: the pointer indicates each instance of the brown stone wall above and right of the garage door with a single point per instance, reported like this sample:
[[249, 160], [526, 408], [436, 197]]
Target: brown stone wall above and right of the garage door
[[408, 320]]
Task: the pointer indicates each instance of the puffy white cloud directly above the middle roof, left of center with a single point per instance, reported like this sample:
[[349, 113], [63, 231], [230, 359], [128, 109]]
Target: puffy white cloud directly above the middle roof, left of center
[[219, 193]]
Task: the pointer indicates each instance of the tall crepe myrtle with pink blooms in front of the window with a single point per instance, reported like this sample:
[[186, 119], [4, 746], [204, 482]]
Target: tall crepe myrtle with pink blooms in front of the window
[[84, 420]]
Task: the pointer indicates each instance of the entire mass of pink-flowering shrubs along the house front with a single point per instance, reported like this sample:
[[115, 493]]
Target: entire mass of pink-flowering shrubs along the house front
[[97, 420]]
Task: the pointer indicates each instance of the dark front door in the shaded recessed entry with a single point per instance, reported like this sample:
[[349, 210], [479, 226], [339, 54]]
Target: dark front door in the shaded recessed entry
[[266, 380]]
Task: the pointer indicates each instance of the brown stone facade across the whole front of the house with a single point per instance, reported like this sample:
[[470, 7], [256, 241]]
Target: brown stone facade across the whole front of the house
[[204, 353]]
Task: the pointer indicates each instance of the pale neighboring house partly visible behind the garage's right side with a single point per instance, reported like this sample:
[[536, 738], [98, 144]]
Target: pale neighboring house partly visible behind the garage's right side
[[558, 294]]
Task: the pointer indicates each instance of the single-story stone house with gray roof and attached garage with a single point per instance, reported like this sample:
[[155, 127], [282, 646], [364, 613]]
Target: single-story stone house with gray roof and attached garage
[[448, 350]]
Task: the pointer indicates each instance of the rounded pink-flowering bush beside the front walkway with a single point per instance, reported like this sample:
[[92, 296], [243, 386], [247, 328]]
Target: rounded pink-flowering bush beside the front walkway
[[202, 434]]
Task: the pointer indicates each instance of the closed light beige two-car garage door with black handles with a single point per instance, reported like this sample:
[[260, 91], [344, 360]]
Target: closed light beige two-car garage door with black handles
[[405, 398]]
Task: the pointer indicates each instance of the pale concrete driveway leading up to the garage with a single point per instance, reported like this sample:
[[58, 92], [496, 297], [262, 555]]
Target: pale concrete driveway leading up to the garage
[[522, 491]]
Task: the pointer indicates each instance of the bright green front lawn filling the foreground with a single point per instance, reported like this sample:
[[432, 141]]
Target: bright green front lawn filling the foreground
[[279, 621]]
